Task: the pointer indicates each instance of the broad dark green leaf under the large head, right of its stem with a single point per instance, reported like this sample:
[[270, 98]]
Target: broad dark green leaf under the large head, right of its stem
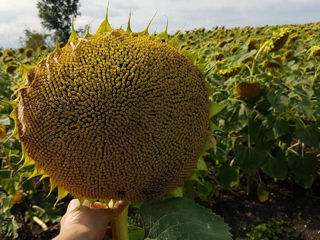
[[181, 218]]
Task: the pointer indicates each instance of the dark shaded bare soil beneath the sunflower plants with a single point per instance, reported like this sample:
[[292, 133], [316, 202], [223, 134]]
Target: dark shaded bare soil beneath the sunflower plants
[[298, 208]]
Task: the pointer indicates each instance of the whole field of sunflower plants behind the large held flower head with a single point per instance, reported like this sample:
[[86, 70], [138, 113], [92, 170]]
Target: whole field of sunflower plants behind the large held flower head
[[264, 96]]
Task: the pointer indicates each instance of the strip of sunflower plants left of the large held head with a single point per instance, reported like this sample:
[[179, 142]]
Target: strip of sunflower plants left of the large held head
[[21, 200]]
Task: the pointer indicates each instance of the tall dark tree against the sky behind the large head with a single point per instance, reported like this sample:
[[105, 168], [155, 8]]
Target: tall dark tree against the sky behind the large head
[[57, 15]]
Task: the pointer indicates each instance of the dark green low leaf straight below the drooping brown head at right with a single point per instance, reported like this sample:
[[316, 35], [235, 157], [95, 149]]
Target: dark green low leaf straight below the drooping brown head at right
[[249, 159]]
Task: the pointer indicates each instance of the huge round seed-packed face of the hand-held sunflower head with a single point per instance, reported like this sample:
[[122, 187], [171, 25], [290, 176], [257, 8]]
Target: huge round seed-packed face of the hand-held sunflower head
[[114, 116]]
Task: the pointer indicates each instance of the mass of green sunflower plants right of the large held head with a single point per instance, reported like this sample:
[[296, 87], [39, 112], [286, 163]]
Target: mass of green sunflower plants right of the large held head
[[277, 131]]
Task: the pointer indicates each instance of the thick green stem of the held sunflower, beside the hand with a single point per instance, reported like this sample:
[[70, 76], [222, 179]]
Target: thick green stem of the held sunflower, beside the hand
[[119, 226]]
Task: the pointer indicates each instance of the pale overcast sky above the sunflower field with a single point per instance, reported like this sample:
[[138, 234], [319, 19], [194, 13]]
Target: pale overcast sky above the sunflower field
[[17, 15]]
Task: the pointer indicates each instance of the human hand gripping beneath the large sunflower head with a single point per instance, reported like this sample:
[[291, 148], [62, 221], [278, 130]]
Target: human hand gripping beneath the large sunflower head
[[87, 222]]
